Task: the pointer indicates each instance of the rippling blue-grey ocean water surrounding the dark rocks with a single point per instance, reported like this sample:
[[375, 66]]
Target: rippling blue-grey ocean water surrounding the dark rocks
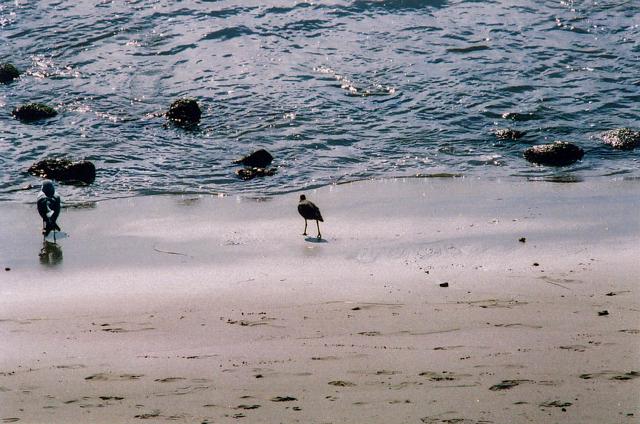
[[336, 90]]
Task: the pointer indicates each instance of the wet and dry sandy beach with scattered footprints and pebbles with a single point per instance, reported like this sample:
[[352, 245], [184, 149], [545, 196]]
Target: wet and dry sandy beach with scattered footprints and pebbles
[[436, 300]]
